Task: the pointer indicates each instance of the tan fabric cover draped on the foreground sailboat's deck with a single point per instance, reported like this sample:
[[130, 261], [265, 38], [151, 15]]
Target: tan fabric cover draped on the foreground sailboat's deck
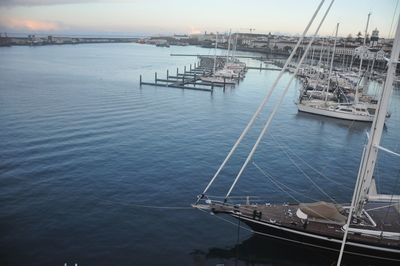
[[323, 211]]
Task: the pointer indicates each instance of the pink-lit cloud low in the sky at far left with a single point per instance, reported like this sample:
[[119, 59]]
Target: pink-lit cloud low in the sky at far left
[[30, 25]]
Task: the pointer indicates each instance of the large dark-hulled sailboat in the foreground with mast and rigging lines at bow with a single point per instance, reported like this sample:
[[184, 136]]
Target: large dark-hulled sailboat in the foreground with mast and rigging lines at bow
[[369, 226]]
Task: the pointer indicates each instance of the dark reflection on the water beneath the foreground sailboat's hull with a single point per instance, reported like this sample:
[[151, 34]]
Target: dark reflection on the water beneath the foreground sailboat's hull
[[260, 250]]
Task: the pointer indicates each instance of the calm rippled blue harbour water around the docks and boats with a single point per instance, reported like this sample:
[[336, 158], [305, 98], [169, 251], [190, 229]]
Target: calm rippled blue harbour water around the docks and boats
[[82, 145]]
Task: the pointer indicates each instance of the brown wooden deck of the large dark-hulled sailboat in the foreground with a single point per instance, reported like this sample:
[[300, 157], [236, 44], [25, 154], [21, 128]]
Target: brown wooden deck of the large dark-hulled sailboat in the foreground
[[378, 218]]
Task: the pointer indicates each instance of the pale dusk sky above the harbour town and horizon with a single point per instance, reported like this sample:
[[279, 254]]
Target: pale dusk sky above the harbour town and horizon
[[158, 17]]
